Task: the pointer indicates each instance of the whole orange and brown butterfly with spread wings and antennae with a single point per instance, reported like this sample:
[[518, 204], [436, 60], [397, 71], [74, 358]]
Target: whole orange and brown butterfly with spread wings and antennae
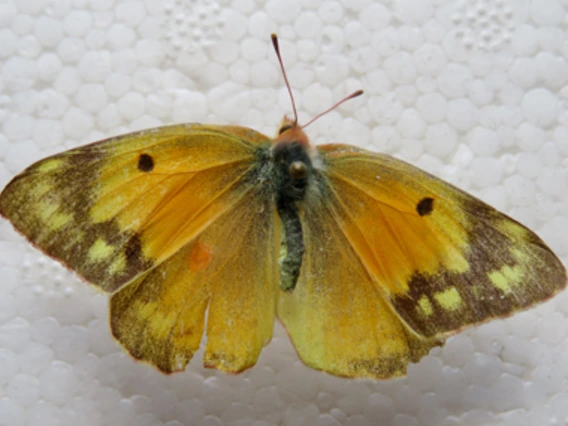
[[199, 229]]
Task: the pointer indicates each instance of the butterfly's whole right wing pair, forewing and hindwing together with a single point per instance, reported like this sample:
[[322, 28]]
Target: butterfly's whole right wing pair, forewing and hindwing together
[[396, 260]]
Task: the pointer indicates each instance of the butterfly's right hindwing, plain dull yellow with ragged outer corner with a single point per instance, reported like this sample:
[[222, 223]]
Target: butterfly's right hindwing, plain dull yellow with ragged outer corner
[[337, 318]]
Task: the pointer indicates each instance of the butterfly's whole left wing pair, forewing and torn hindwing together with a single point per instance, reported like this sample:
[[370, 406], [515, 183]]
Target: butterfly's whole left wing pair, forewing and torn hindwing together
[[173, 221]]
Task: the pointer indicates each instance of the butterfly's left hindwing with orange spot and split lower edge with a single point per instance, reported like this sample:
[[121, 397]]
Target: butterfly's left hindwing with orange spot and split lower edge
[[229, 268]]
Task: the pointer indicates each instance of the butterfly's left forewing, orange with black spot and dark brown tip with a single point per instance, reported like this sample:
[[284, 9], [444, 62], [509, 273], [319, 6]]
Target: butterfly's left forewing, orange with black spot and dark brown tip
[[114, 209]]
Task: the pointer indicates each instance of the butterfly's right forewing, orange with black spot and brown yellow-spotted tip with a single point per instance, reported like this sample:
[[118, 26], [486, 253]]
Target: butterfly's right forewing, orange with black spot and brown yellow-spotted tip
[[443, 259]]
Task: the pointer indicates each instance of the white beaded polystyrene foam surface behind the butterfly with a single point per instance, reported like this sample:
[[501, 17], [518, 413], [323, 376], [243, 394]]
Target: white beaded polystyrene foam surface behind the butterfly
[[473, 91]]
